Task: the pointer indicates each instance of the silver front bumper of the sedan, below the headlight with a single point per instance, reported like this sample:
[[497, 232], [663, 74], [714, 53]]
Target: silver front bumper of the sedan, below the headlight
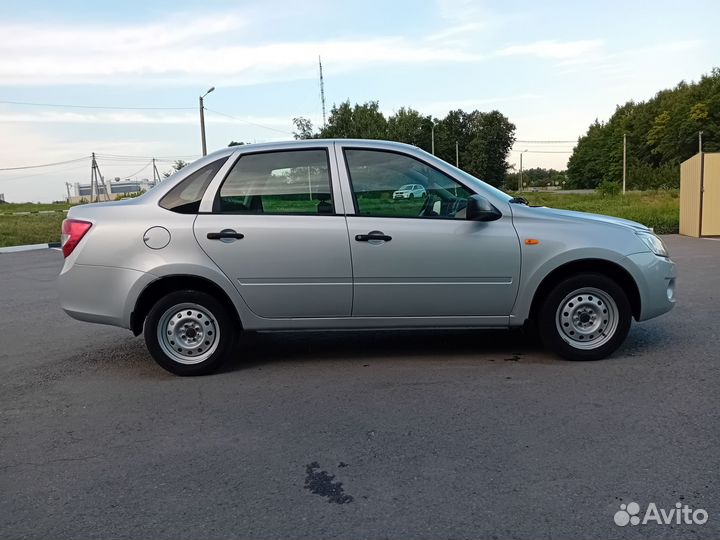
[[655, 277]]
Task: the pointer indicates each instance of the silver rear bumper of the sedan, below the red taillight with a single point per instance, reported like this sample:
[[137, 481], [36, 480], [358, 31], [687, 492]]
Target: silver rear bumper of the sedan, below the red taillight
[[101, 294]]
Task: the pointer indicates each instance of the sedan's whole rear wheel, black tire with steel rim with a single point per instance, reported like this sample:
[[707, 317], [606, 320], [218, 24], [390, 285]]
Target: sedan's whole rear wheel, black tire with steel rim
[[194, 304]]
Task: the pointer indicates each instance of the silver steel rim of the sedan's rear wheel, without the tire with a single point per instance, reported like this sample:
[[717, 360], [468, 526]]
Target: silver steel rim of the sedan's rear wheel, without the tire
[[188, 333]]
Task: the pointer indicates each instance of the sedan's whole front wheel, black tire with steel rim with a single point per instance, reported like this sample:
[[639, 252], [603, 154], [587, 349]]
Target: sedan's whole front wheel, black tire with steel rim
[[555, 325]]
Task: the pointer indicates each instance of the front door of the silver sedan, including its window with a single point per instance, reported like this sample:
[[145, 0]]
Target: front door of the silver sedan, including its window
[[420, 257]]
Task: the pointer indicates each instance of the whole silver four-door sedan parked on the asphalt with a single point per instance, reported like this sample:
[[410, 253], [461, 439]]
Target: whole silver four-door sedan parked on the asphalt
[[309, 235]]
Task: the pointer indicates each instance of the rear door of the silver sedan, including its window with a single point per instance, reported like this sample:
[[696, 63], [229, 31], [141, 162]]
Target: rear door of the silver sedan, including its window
[[277, 232]]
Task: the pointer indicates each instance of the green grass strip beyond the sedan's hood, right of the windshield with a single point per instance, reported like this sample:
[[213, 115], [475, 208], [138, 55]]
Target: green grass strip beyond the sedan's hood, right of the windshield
[[657, 209]]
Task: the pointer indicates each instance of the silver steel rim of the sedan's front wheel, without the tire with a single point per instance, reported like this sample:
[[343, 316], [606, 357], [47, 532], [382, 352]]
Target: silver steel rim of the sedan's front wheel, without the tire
[[587, 318]]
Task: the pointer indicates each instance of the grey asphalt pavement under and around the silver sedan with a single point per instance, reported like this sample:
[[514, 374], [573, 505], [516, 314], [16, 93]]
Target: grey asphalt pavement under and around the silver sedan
[[442, 434]]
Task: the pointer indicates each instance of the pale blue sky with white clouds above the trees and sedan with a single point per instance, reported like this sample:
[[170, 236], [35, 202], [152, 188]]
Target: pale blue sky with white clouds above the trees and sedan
[[552, 67]]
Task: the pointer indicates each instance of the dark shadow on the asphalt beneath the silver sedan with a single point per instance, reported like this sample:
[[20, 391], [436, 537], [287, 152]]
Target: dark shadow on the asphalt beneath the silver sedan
[[255, 349]]
